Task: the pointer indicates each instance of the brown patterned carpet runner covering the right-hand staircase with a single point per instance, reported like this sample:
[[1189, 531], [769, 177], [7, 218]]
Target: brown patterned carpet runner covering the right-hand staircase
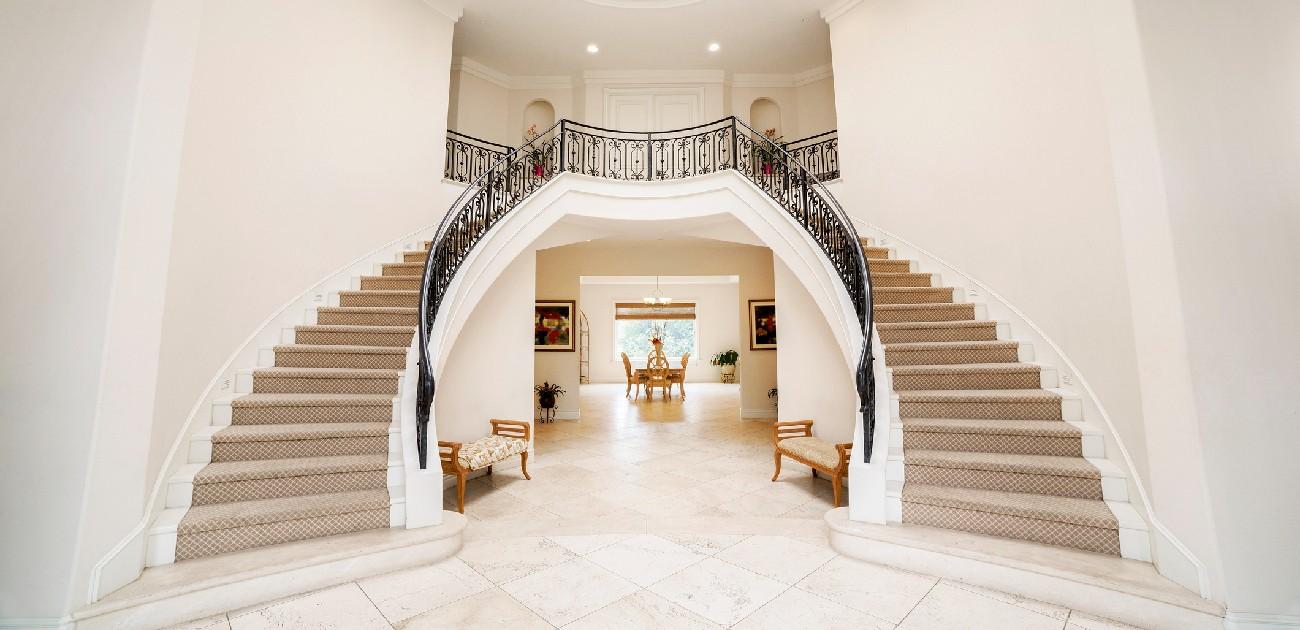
[[986, 447]]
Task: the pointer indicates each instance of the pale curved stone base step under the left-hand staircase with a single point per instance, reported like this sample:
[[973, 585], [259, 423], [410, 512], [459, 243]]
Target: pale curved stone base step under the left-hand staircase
[[184, 592]]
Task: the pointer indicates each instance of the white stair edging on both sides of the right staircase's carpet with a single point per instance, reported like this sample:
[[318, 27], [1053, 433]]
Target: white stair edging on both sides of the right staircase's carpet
[[1121, 481]]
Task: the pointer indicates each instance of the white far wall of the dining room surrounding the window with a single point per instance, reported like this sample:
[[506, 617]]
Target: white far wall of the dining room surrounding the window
[[717, 307]]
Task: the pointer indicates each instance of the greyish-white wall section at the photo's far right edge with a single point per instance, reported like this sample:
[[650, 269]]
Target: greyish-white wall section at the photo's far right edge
[[1225, 90]]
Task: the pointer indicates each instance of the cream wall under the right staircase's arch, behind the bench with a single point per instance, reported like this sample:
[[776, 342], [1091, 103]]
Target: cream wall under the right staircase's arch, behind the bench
[[809, 364]]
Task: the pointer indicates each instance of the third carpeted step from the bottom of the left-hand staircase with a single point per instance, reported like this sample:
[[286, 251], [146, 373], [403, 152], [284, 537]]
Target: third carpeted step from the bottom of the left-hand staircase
[[318, 440]]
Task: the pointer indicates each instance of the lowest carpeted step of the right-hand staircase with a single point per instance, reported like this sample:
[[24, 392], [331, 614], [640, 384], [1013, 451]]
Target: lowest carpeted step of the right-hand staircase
[[1081, 524]]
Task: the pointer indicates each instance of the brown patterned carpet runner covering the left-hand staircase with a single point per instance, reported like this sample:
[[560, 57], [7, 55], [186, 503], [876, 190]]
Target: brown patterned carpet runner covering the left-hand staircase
[[307, 451]]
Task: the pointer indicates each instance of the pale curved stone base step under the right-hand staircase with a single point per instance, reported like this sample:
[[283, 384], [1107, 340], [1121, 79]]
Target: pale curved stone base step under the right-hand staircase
[[1124, 590]]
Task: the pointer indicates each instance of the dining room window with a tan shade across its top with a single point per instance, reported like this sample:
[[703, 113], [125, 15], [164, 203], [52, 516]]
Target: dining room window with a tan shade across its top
[[635, 324]]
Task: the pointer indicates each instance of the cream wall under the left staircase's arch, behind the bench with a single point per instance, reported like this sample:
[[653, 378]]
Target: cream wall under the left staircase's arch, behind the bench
[[489, 372]]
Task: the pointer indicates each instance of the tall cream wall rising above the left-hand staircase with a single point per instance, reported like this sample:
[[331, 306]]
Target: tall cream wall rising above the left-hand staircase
[[300, 158]]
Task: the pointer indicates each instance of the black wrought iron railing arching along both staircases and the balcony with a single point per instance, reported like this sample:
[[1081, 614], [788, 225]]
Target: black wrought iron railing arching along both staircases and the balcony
[[573, 147]]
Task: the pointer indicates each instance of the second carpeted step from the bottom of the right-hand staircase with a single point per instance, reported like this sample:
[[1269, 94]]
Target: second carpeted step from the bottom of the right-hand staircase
[[1039, 475]]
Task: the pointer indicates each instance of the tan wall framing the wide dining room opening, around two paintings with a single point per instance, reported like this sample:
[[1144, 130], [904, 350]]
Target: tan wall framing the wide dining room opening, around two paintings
[[558, 271]]
